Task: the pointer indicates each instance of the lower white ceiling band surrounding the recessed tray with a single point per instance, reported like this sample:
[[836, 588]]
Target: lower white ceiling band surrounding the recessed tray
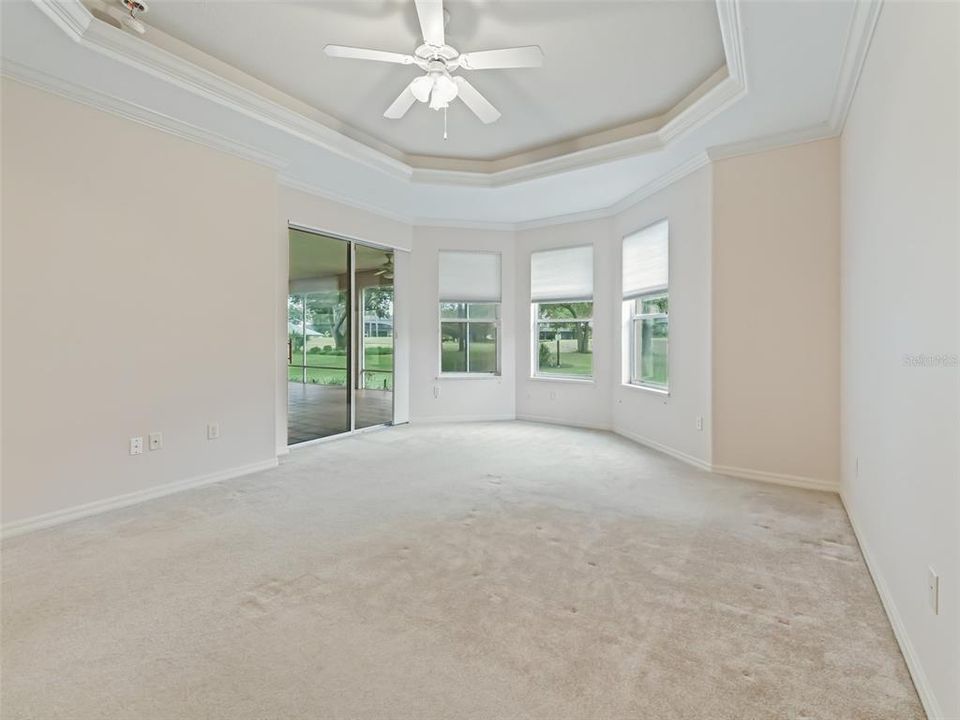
[[800, 61]]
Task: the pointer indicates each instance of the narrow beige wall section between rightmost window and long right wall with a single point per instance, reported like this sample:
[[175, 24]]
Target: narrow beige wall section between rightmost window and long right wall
[[776, 329]]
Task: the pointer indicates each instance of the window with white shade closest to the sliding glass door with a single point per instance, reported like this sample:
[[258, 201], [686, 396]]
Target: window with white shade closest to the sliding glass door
[[469, 313]]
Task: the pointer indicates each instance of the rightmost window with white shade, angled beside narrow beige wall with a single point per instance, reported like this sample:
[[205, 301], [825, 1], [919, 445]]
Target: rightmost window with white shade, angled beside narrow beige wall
[[646, 307]]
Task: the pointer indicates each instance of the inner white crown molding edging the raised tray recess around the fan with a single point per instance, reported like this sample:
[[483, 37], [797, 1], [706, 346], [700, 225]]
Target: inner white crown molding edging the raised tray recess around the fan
[[711, 98]]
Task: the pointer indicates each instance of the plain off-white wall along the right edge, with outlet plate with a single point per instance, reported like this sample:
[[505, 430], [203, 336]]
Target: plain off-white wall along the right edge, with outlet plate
[[901, 274]]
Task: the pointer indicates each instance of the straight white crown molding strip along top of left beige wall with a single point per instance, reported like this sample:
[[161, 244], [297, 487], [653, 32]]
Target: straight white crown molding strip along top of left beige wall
[[131, 111]]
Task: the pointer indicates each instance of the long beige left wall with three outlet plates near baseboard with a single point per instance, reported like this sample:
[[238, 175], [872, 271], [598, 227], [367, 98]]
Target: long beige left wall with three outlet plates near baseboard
[[138, 289]]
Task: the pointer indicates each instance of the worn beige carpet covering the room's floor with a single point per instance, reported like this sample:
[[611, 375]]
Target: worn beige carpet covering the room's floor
[[501, 570]]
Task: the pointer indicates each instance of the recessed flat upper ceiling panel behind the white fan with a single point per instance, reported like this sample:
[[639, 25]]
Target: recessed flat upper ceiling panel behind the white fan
[[607, 63]]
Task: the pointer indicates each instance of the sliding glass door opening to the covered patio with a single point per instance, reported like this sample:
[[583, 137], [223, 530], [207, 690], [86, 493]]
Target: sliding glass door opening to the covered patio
[[340, 336]]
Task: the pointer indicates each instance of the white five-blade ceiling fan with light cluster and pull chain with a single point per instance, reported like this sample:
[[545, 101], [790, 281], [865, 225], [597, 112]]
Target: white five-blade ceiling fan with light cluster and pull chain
[[438, 60]]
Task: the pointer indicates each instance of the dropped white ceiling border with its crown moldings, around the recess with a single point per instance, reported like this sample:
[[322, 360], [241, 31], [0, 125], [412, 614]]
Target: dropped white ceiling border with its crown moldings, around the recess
[[791, 68]]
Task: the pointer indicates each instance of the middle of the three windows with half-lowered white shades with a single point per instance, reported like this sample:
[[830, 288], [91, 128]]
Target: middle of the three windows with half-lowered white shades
[[561, 291]]
